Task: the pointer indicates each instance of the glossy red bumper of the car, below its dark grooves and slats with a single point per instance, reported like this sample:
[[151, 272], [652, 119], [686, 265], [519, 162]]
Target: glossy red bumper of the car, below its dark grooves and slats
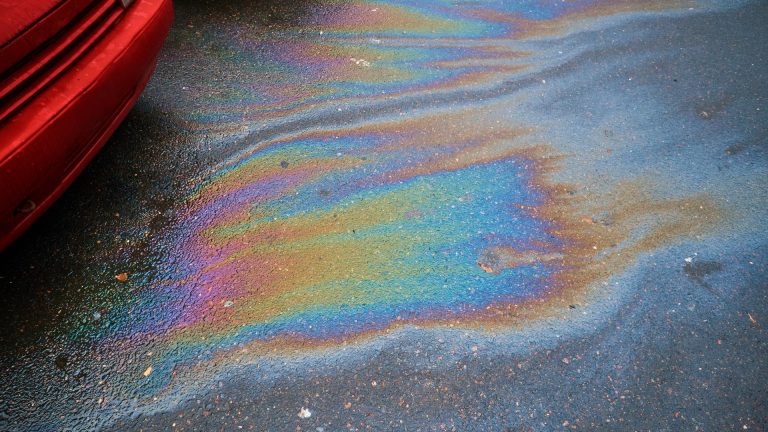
[[46, 143]]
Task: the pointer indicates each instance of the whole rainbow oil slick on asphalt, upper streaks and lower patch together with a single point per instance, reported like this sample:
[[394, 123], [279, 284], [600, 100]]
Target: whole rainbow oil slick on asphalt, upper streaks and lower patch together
[[381, 180]]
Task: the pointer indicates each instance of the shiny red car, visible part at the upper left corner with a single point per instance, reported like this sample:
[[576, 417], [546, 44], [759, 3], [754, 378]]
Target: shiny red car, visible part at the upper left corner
[[70, 70]]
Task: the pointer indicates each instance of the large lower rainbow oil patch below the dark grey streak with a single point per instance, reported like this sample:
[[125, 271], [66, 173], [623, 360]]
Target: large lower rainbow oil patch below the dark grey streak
[[335, 238]]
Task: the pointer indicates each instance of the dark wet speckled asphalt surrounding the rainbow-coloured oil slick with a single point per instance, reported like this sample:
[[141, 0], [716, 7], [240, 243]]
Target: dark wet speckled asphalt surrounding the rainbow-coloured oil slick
[[682, 347]]
